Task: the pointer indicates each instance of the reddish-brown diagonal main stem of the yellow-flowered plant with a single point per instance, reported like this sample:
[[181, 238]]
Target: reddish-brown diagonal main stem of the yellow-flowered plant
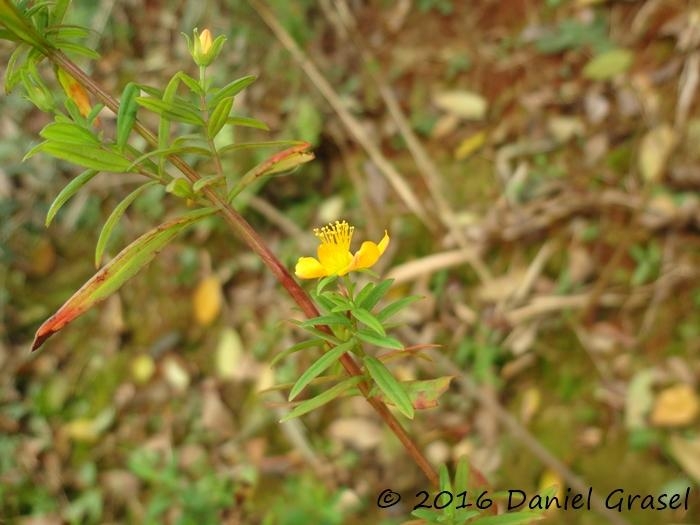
[[256, 243]]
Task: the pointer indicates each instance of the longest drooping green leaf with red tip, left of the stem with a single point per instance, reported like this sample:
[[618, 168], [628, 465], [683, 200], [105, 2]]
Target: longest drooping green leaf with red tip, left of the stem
[[120, 269]]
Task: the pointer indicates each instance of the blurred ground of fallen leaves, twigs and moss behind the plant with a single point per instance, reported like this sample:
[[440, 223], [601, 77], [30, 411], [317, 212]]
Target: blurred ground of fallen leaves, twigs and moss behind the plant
[[565, 134]]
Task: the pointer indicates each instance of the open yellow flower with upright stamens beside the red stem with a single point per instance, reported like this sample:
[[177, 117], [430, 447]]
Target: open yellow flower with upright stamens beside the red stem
[[334, 256]]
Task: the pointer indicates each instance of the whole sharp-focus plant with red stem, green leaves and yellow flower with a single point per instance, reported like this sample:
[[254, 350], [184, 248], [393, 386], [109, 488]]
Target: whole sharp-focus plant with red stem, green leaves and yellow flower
[[343, 322]]
